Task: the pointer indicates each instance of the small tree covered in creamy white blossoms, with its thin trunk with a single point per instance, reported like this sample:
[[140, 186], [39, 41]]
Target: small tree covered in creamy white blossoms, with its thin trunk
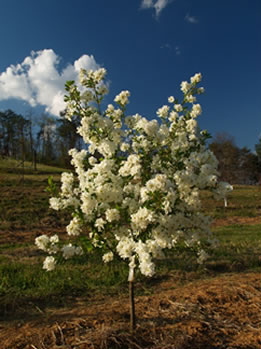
[[141, 194]]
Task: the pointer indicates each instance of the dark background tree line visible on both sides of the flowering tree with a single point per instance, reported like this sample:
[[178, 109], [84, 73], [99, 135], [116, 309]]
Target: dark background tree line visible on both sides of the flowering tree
[[49, 139]]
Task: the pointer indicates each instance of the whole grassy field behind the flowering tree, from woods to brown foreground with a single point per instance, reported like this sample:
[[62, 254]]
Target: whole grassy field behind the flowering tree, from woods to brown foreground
[[25, 288]]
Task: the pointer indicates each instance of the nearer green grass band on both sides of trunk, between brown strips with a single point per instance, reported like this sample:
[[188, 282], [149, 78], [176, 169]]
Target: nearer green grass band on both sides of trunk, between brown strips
[[23, 280]]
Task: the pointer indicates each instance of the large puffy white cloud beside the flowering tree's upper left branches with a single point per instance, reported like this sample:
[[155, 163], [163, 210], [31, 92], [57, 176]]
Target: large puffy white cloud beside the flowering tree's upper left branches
[[38, 81]]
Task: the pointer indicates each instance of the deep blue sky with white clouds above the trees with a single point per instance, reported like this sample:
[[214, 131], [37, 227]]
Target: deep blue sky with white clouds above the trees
[[147, 47]]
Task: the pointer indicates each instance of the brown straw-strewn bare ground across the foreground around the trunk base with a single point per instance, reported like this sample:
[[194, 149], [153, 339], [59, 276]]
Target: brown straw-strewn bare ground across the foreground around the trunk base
[[223, 312]]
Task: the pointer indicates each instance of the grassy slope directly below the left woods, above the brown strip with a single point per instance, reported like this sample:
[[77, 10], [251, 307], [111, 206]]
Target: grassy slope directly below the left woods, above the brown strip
[[24, 203]]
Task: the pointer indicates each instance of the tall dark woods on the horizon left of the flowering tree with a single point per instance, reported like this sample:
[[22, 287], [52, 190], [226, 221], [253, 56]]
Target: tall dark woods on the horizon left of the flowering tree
[[46, 141]]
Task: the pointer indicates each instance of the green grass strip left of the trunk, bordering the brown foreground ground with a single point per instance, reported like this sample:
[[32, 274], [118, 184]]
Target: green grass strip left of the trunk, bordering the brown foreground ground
[[22, 282]]
